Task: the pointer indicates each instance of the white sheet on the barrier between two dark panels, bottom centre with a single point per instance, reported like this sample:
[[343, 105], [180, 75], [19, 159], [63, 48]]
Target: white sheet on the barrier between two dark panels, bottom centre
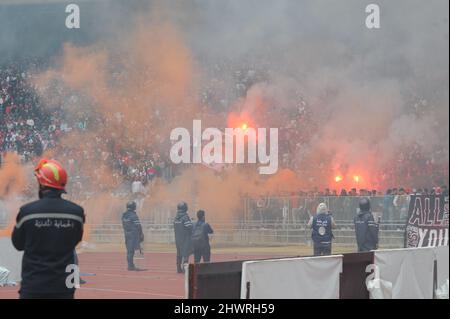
[[292, 278]]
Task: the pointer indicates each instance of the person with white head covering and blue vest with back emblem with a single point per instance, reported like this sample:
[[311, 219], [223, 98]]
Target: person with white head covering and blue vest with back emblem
[[322, 235]]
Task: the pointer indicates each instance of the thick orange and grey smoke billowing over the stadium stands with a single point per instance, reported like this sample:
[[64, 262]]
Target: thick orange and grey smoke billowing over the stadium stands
[[364, 96]]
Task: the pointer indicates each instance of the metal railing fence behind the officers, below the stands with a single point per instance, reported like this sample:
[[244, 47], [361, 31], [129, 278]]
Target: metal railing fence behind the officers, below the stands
[[272, 220]]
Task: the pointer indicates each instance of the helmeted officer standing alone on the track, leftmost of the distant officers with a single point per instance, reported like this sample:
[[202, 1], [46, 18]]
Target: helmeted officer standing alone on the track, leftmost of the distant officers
[[133, 234]]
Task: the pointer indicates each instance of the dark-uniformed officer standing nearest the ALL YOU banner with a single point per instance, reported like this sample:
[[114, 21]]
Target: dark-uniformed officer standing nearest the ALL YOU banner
[[366, 228]]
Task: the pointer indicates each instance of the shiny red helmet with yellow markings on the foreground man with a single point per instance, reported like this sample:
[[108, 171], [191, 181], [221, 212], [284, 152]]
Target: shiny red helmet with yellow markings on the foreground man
[[51, 173]]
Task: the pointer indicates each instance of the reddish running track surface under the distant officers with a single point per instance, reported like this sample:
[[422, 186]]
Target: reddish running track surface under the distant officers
[[107, 277]]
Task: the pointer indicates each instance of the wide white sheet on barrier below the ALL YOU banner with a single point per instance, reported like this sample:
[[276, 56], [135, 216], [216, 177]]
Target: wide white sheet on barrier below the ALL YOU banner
[[408, 271]]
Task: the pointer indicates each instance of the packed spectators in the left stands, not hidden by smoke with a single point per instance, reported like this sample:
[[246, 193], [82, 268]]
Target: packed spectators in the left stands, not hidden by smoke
[[29, 127]]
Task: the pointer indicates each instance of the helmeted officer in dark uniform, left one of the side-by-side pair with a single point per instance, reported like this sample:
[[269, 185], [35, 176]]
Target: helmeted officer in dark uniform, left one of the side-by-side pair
[[183, 232]]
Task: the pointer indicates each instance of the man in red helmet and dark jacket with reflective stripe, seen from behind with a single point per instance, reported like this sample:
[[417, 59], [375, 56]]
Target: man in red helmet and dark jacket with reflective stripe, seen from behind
[[48, 230]]
